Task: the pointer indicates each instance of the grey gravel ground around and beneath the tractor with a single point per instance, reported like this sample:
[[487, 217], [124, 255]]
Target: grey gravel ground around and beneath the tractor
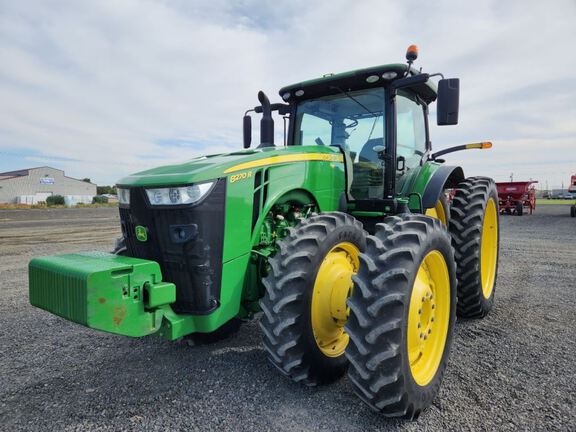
[[515, 369]]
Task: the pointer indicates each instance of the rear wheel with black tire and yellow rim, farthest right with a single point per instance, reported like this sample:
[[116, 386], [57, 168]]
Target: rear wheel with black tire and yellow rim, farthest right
[[475, 239]]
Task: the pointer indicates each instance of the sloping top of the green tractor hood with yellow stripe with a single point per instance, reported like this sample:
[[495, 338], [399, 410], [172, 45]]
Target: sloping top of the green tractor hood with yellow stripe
[[210, 167]]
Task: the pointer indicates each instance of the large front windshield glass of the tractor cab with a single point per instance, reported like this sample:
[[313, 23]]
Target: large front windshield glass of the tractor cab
[[354, 122]]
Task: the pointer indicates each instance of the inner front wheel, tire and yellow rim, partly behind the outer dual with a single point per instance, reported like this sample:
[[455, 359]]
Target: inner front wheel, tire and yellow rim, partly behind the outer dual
[[288, 331]]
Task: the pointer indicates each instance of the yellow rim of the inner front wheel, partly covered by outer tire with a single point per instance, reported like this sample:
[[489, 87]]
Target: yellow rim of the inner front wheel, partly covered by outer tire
[[332, 288]]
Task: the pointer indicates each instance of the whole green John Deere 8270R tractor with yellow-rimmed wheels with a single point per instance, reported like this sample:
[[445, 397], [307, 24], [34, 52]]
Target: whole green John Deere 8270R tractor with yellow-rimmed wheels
[[343, 237]]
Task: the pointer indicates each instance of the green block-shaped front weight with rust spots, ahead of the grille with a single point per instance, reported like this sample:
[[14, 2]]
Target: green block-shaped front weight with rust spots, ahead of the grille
[[101, 291]]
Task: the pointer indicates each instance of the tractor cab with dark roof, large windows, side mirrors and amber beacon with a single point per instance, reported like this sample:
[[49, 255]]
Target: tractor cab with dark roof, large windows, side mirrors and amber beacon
[[376, 117]]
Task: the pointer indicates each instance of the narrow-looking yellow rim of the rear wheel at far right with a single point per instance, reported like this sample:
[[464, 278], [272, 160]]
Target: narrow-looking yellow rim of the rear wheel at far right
[[489, 248]]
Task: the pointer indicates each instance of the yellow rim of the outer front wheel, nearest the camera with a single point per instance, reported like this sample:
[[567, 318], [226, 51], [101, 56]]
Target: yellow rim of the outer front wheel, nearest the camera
[[428, 317]]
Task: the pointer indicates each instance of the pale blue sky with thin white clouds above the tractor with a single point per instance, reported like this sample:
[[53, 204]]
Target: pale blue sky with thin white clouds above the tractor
[[106, 88]]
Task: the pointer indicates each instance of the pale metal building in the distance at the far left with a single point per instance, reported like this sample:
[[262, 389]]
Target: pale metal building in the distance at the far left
[[34, 185]]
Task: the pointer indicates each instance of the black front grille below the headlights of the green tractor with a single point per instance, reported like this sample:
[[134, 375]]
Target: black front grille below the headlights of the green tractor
[[186, 241]]
